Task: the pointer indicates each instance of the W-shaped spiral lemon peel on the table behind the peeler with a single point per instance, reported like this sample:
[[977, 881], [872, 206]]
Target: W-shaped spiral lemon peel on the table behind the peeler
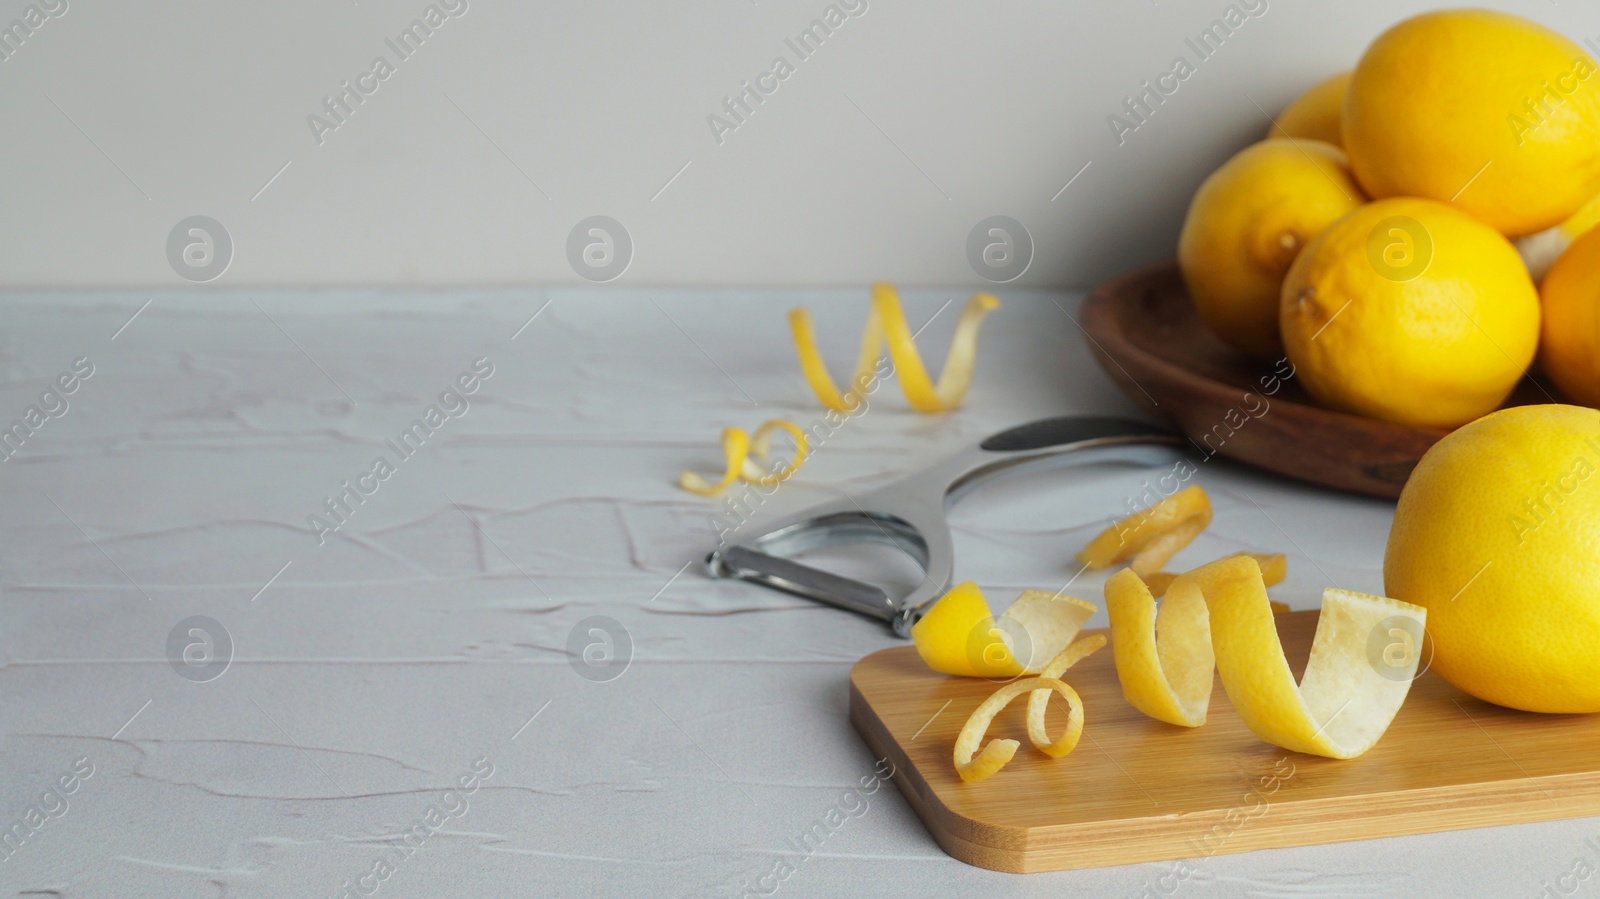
[[887, 326]]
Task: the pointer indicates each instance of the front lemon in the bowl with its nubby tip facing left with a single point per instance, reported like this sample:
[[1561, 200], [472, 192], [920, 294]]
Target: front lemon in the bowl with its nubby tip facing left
[[1410, 311]]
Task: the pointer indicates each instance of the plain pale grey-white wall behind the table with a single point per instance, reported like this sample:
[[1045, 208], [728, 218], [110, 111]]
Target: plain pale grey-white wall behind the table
[[518, 121]]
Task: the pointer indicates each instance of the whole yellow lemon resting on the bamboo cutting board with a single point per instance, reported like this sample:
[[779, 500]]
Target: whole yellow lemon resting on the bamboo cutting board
[[1498, 537]]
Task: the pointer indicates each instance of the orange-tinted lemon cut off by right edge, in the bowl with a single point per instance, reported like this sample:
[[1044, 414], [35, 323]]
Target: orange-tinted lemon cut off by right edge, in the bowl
[[1572, 295]]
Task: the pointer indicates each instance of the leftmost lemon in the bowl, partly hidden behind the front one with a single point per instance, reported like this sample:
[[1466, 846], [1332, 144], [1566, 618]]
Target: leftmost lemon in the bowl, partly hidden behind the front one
[[1246, 226]]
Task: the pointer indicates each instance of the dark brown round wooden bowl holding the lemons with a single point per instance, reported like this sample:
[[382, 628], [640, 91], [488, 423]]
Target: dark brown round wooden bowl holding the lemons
[[1146, 335]]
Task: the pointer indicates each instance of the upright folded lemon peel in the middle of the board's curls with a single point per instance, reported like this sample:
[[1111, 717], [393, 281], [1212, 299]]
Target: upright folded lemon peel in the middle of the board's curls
[[1164, 660]]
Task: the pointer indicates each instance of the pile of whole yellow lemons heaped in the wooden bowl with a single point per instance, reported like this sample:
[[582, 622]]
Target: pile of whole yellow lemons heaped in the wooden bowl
[[1390, 234]]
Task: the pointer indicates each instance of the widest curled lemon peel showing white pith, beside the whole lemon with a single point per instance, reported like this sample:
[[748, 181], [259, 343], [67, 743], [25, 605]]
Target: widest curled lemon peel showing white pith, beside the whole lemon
[[1345, 703]]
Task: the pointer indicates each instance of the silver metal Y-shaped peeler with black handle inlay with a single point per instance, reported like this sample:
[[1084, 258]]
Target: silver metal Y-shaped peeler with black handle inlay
[[910, 514]]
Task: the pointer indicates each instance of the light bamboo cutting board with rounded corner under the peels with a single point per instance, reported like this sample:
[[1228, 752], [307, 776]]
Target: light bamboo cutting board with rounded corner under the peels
[[1142, 791]]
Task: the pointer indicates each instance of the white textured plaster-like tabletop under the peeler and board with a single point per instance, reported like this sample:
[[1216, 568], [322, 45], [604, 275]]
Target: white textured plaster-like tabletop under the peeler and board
[[428, 637]]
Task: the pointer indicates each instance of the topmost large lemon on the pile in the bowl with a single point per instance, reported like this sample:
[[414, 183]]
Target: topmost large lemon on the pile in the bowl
[[1481, 110]]
